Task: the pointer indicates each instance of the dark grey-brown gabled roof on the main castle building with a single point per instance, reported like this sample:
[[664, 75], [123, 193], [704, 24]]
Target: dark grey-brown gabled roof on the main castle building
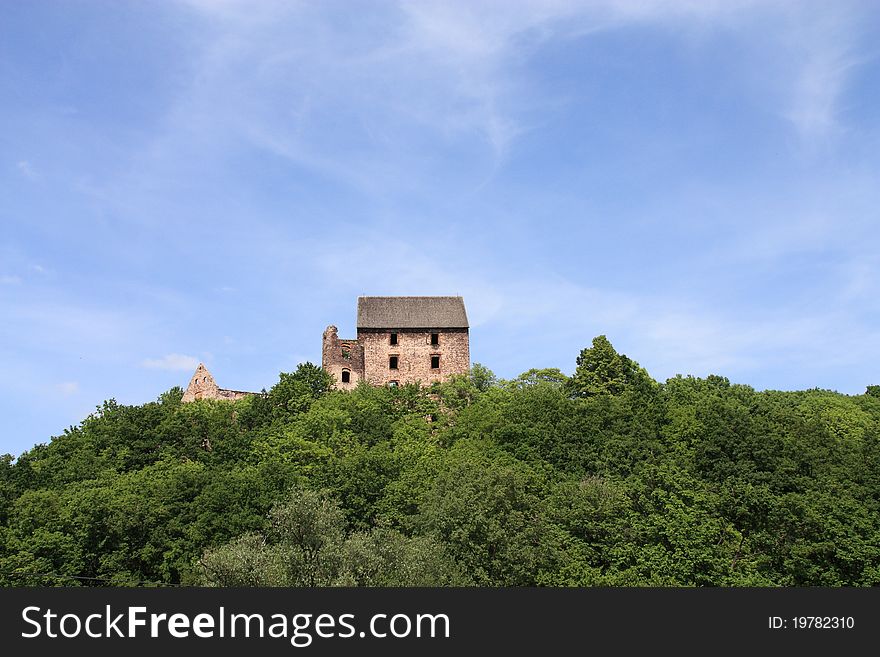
[[411, 312]]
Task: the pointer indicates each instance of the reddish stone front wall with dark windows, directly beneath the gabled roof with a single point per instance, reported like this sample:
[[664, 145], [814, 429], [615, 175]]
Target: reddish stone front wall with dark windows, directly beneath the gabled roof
[[413, 351]]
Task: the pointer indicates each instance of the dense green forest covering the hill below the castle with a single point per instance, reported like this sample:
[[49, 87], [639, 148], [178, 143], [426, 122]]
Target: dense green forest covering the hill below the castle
[[602, 478]]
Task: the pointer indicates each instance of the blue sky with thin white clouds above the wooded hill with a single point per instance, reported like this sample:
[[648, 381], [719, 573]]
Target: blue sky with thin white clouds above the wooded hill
[[217, 181]]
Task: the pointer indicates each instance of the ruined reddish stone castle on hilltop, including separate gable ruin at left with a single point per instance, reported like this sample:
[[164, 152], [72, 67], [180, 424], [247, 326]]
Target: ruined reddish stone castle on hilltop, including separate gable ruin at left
[[399, 340]]
